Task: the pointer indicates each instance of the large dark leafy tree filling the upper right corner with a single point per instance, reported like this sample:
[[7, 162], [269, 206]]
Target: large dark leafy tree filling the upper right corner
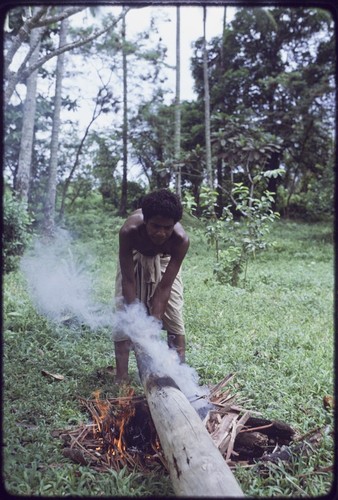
[[268, 70]]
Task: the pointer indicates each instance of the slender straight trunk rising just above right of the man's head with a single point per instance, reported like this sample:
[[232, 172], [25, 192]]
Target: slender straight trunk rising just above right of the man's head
[[178, 105]]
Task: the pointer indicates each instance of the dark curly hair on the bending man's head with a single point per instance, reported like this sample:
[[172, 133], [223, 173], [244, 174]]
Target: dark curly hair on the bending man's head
[[162, 202]]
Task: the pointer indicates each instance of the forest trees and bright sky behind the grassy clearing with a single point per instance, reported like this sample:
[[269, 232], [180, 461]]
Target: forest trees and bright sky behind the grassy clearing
[[262, 125]]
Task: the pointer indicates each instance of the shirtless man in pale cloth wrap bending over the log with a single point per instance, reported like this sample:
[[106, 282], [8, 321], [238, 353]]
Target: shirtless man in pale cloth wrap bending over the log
[[152, 246]]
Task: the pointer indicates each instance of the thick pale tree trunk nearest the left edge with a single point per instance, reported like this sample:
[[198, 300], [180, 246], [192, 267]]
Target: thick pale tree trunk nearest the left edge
[[27, 137]]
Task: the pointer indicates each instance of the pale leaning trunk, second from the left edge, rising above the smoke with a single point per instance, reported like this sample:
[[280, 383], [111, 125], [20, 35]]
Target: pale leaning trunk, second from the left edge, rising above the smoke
[[49, 216]]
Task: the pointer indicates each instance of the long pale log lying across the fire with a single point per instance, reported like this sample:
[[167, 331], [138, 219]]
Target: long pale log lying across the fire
[[196, 466]]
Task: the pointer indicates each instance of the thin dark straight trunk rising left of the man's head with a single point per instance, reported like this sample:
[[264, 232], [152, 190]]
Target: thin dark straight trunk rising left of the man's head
[[124, 187]]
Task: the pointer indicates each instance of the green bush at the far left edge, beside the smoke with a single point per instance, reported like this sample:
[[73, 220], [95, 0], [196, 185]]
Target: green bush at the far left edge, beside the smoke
[[16, 231]]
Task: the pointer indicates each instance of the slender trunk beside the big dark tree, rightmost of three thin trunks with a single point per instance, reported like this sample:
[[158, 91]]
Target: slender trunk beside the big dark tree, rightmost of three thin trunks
[[206, 104]]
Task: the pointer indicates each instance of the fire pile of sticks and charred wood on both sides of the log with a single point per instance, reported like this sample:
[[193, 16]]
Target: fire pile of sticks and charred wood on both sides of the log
[[122, 433]]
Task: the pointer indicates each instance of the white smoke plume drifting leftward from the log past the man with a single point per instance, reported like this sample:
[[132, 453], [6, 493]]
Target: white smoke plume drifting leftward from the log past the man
[[60, 287]]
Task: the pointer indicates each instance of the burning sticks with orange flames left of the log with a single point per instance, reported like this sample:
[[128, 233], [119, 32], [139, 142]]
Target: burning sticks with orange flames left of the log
[[121, 434]]
